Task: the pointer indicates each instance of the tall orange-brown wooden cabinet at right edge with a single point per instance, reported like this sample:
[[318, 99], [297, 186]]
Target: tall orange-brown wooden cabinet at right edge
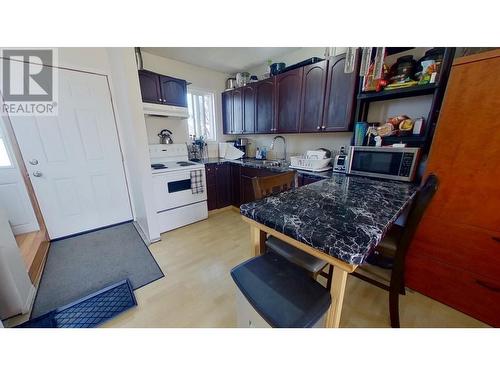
[[455, 256]]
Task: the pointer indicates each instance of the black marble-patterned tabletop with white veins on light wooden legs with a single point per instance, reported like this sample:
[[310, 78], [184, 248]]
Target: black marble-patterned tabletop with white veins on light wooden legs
[[343, 216]]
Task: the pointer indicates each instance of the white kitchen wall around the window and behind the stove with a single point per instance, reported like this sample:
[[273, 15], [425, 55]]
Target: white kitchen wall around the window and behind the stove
[[199, 77]]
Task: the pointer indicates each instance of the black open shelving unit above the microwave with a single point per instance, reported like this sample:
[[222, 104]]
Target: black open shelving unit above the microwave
[[437, 90]]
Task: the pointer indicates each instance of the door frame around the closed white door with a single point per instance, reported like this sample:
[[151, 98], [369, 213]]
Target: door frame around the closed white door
[[19, 158]]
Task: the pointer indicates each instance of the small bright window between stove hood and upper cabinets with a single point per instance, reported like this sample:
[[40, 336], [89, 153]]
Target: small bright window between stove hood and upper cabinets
[[201, 108]]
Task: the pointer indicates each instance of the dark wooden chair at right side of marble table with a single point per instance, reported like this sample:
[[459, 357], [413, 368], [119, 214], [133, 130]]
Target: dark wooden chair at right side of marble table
[[397, 243]]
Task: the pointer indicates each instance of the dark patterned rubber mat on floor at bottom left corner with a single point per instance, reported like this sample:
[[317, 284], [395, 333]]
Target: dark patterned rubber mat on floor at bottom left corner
[[89, 311]]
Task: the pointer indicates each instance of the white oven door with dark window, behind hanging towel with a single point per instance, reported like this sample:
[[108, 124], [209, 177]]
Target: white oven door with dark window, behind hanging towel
[[173, 189]]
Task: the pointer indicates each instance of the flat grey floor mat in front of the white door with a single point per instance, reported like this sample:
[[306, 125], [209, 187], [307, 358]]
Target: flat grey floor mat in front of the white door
[[80, 265]]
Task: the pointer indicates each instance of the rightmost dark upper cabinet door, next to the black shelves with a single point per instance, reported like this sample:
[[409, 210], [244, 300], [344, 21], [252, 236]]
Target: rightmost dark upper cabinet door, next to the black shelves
[[340, 96]]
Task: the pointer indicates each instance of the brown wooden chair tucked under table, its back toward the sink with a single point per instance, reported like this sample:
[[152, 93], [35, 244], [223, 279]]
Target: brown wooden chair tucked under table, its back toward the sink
[[266, 186]]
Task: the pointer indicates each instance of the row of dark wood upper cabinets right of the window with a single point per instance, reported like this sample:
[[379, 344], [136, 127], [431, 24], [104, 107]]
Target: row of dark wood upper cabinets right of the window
[[314, 98]]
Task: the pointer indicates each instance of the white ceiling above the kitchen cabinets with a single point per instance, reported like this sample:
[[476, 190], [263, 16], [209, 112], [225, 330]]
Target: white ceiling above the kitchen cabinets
[[221, 59]]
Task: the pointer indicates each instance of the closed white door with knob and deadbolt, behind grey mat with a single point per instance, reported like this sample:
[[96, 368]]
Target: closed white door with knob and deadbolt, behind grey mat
[[74, 159]]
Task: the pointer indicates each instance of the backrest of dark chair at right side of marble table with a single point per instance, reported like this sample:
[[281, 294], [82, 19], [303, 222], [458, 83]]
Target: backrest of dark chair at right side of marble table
[[422, 200]]
